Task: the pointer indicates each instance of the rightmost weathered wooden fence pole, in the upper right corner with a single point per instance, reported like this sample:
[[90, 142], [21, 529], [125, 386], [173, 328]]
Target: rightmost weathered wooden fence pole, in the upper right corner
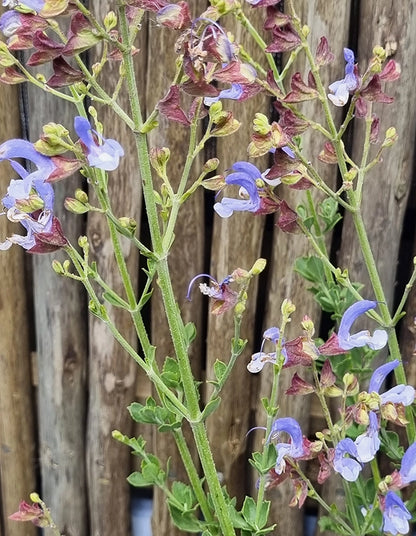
[[387, 185]]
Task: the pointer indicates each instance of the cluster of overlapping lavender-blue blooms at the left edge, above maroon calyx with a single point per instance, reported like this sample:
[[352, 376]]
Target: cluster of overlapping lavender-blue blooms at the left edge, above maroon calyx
[[29, 200]]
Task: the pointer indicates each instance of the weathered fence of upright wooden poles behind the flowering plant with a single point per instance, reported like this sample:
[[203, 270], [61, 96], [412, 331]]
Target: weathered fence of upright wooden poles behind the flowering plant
[[66, 383]]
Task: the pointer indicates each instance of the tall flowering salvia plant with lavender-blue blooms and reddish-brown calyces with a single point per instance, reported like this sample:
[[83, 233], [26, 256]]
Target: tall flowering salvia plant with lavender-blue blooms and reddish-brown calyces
[[211, 69]]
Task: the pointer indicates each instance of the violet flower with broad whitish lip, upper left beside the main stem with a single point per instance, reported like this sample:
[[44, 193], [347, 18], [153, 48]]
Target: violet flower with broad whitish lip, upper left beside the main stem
[[101, 153]]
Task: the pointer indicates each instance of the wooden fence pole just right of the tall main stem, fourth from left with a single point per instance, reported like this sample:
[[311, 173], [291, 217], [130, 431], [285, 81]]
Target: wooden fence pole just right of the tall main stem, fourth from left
[[187, 254]]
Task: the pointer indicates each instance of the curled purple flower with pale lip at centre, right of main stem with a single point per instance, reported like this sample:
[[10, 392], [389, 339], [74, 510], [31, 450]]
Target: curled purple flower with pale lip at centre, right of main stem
[[245, 176]]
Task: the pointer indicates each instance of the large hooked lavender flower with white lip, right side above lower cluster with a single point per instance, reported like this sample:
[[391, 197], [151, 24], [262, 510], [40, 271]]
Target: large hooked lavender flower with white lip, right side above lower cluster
[[347, 341]]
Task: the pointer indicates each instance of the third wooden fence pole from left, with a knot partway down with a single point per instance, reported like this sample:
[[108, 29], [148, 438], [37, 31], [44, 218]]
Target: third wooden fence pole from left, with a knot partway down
[[112, 373]]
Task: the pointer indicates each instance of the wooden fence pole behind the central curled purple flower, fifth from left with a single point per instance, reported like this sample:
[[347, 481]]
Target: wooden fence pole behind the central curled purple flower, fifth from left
[[236, 243]]
